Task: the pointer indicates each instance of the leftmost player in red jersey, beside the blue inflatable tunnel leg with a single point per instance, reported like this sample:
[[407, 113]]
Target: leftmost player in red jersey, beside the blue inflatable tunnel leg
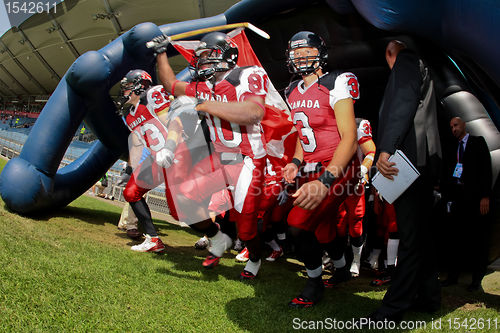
[[144, 110]]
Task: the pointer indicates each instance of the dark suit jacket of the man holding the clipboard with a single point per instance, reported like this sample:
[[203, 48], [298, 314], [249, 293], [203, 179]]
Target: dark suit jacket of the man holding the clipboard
[[407, 117]]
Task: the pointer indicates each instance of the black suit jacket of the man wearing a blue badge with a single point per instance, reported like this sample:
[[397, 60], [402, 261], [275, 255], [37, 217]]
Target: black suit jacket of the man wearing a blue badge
[[477, 173]]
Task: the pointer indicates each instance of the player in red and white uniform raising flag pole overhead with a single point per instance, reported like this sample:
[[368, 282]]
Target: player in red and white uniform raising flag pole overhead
[[233, 100]]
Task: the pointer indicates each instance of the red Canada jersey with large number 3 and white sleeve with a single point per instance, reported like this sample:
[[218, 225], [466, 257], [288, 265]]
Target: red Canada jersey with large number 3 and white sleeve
[[313, 112]]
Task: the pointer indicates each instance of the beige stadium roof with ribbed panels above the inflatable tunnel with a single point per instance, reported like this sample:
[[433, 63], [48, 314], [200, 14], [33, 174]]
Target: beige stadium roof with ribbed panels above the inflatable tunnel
[[35, 55]]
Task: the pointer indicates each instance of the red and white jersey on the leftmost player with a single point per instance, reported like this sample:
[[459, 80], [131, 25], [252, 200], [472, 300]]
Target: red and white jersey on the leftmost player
[[144, 122]]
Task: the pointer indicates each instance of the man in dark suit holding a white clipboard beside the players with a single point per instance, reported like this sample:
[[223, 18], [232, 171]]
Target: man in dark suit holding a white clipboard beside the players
[[408, 121]]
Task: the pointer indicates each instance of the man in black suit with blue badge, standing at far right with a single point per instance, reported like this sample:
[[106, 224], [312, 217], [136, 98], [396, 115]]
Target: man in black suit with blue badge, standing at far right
[[467, 189]]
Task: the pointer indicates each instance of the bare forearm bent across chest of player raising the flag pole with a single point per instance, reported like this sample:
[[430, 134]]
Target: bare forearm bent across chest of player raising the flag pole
[[248, 112]]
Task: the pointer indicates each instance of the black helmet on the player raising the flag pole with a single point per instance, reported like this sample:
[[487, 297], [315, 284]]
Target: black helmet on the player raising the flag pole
[[216, 53]]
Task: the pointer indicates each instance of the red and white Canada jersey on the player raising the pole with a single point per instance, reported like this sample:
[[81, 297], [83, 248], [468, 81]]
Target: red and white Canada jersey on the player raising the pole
[[239, 84]]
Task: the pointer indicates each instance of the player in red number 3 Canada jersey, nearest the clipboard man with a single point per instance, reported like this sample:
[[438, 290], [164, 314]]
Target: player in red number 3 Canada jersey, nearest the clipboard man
[[322, 106]]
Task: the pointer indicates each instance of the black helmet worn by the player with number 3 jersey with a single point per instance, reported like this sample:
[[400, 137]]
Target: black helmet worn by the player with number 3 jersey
[[306, 65]]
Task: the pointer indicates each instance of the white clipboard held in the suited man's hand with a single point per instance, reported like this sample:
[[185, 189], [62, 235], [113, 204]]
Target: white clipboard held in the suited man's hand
[[390, 190]]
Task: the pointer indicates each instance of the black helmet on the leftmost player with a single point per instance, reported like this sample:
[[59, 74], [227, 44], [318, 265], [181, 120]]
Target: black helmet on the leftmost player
[[136, 81]]
